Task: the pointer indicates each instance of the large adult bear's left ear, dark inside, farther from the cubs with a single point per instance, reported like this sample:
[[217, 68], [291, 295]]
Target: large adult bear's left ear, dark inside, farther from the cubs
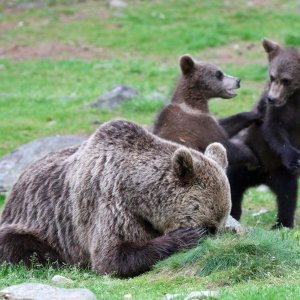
[[183, 166]]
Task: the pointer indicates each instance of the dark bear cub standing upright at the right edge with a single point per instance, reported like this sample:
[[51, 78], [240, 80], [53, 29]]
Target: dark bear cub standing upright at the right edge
[[276, 141]]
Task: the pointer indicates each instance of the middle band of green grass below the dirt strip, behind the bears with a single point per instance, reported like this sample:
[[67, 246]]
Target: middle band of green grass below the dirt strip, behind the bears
[[48, 96]]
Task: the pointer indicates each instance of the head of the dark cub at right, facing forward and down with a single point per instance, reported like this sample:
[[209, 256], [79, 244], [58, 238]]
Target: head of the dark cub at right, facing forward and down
[[284, 72]]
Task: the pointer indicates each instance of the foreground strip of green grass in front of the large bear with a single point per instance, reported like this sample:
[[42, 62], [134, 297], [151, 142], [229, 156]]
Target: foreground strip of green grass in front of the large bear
[[260, 264]]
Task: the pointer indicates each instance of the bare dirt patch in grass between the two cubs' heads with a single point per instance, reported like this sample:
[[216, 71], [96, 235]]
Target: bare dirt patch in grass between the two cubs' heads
[[239, 53]]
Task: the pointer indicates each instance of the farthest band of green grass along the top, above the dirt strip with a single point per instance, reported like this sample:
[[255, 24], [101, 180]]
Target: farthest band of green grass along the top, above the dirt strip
[[159, 27]]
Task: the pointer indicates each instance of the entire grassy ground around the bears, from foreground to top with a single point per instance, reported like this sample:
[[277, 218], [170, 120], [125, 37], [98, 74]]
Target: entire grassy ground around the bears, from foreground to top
[[56, 57]]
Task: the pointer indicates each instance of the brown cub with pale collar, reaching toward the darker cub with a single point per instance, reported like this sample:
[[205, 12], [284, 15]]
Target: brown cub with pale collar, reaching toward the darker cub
[[187, 120]]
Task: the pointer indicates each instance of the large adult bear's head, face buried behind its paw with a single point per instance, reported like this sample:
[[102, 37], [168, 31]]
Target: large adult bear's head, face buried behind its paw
[[203, 191]]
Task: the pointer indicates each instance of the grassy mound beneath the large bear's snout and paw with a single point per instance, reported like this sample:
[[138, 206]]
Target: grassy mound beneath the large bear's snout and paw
[[231, 259]]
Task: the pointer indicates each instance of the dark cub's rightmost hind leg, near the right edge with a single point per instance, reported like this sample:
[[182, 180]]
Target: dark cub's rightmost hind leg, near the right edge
[[284, 185]]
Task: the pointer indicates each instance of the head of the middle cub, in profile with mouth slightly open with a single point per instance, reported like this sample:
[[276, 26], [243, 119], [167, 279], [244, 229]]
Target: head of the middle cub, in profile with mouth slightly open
[[206, 79]]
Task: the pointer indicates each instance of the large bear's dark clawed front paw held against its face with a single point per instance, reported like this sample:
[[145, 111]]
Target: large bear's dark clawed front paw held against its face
[[188, 237]]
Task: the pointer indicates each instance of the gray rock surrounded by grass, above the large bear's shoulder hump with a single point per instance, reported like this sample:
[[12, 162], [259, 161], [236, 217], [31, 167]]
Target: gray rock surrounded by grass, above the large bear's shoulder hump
[[115, 97]]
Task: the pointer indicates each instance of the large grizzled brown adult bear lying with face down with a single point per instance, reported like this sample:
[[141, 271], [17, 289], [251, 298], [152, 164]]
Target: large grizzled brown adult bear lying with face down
[[119, 203]]
